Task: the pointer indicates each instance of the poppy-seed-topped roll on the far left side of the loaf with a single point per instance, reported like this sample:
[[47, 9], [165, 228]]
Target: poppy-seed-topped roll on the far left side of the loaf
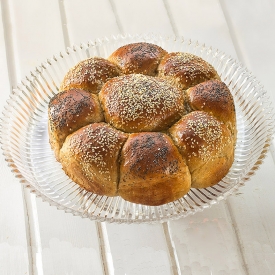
[[68, 111]]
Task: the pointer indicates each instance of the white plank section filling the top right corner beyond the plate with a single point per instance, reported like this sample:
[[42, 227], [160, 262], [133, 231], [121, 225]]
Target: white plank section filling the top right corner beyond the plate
[[254, 37]]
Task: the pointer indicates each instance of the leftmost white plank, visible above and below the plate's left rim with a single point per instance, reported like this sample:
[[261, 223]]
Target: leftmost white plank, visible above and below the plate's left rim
[[13, 234]]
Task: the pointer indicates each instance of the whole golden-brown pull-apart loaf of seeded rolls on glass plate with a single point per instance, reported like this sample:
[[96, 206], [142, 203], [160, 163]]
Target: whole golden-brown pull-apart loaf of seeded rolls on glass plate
[[145, 124]]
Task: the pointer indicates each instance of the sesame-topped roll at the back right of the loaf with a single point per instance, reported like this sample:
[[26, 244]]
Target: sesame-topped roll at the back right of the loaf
[[185, 69]]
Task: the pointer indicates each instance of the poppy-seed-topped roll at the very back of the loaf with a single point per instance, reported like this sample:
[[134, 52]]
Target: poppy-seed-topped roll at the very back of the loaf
[[138, 58]]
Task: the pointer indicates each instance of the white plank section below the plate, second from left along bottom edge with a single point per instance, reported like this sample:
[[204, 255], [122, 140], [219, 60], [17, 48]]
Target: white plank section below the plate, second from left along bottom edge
[[63, 244]]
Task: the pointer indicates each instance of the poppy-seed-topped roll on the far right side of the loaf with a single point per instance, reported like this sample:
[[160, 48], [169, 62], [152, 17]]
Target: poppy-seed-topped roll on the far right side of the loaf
[[214, 97]]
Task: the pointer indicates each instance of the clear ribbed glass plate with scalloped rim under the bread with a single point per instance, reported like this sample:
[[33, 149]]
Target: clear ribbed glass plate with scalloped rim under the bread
[[24, 135]]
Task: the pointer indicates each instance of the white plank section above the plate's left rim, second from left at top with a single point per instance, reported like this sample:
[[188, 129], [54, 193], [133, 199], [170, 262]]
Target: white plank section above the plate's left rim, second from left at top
[[37, 33]]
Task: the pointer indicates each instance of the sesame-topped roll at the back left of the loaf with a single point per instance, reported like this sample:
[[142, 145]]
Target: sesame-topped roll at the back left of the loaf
[[89, 75]]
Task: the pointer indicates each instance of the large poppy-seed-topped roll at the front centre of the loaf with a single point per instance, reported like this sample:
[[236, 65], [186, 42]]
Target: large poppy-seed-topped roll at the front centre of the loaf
[[152, 171]]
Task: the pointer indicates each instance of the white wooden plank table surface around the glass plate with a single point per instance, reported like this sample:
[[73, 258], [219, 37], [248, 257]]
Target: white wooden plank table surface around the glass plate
[[236, 236]]
